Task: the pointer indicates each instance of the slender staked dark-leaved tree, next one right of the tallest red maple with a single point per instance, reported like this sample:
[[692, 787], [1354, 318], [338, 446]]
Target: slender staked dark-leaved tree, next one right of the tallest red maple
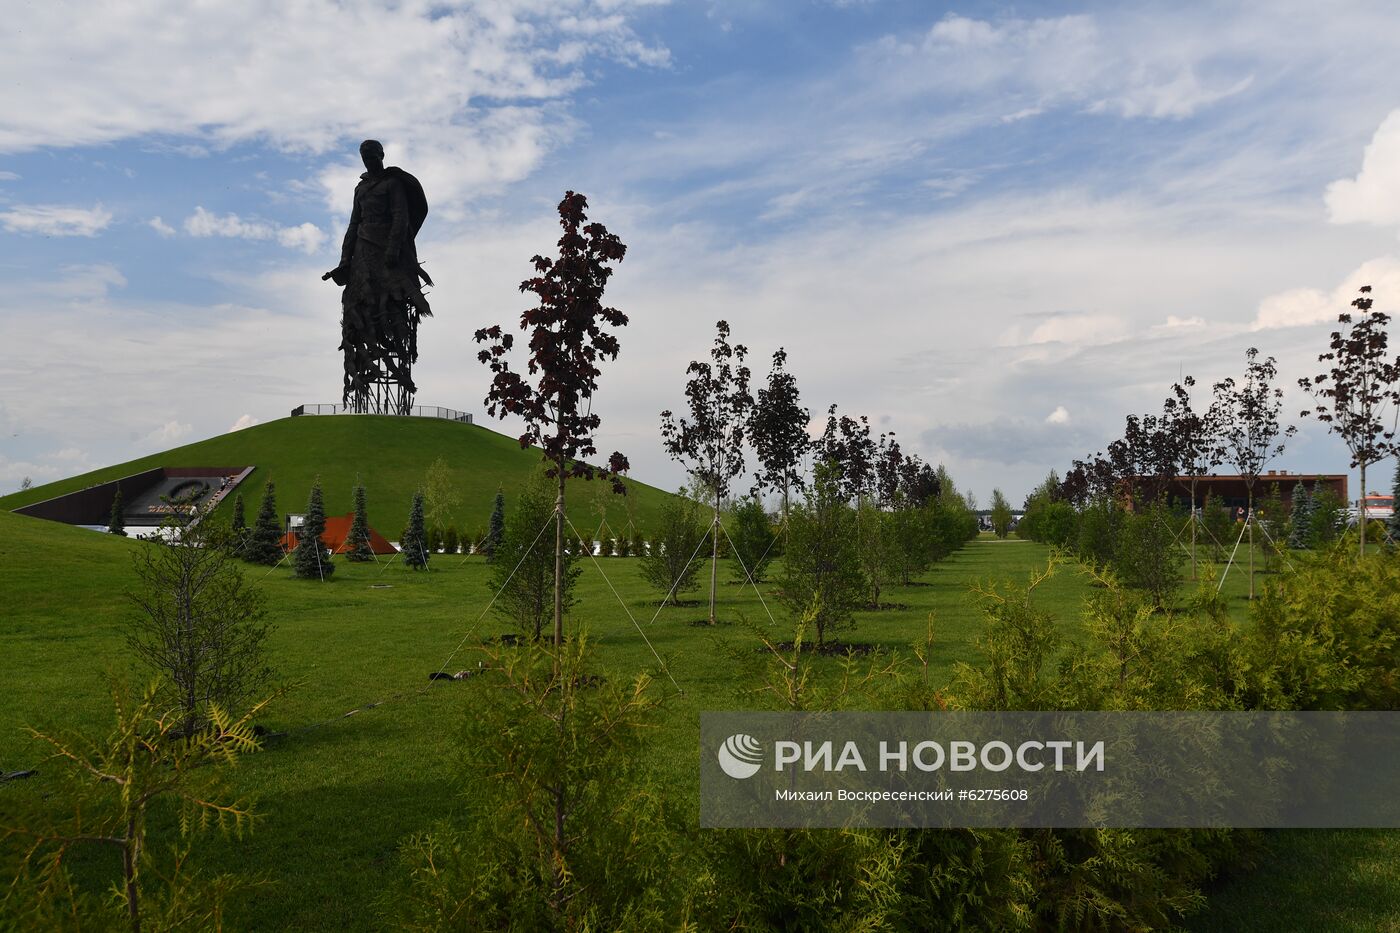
[[710, 443]]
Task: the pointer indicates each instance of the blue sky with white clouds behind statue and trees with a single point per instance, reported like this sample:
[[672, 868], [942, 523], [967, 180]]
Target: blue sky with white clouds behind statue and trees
[[993, 229]]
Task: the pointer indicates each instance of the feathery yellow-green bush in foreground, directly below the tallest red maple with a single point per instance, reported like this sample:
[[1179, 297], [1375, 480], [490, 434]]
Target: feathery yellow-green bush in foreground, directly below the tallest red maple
[[563, 827]]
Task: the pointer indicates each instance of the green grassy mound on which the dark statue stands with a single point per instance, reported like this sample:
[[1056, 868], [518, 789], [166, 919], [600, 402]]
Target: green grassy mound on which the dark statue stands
[[390, 456]]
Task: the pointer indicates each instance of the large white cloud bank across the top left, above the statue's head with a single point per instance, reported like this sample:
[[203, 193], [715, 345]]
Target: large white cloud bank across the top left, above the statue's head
[[468, 86]]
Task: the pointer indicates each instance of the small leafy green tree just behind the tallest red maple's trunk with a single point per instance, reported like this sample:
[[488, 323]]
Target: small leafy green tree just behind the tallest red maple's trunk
[[523, 571]]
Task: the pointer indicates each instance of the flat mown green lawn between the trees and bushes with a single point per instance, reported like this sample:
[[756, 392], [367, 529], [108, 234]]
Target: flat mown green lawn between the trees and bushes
[[337, 799]]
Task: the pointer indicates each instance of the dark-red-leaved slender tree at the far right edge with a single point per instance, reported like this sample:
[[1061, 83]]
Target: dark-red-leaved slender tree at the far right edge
[[1357, 394]]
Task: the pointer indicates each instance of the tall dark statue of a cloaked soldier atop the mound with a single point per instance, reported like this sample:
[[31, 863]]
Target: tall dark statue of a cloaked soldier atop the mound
[[383, 298]]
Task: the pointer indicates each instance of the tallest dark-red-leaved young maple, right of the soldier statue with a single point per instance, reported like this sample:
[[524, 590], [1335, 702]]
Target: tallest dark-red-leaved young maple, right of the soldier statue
[[568, 340]]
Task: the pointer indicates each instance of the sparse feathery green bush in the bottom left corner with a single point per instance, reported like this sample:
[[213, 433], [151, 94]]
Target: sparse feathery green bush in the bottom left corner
[[103, 794]]
